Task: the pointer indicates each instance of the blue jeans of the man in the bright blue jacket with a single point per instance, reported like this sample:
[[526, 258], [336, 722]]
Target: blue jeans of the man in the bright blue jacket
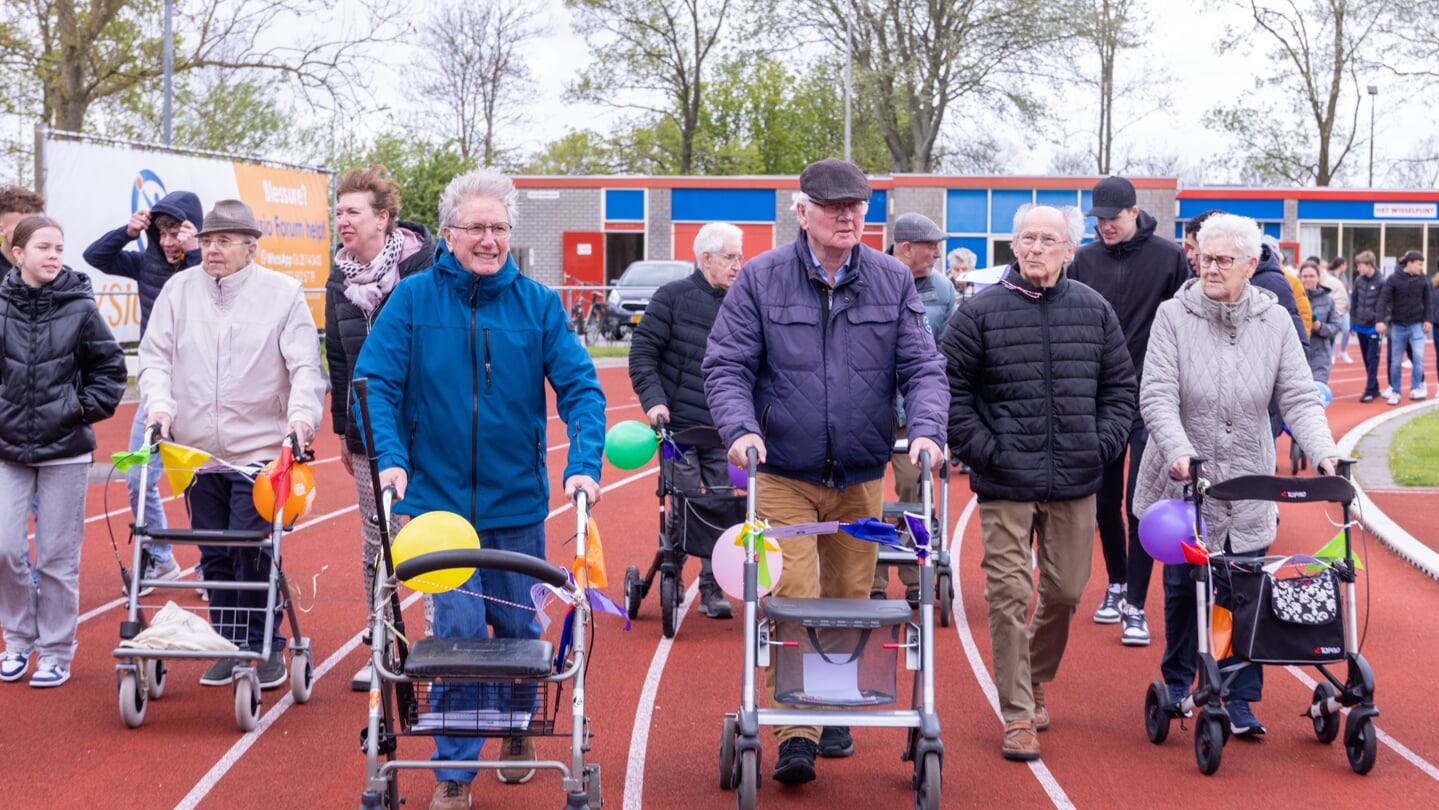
[[466, 616]]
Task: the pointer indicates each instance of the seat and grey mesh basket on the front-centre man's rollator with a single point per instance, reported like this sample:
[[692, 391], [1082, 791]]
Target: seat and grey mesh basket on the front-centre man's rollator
[[835, 652]]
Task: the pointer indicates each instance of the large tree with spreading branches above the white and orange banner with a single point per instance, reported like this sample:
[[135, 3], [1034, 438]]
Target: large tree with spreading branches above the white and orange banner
[[80, 53]]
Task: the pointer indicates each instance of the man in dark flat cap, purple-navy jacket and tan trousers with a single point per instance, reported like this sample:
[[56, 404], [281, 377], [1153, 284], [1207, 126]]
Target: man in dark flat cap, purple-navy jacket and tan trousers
[[808, 353]]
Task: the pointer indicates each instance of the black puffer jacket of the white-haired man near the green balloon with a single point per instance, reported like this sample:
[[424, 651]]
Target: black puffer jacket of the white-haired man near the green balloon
[[670, 346]]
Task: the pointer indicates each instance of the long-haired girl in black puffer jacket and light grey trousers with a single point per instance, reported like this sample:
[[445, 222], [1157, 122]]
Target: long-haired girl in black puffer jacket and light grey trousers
[[61, 372]]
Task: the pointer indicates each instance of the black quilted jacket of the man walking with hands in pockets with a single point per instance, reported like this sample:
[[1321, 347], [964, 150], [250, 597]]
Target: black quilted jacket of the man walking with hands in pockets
[[1041, 389]]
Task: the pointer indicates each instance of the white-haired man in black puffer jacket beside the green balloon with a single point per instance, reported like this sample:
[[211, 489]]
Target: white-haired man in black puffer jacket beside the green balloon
[[666, 356]]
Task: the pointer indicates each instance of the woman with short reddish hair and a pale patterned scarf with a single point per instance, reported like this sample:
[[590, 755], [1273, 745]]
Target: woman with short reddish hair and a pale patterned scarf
[[376, 251]]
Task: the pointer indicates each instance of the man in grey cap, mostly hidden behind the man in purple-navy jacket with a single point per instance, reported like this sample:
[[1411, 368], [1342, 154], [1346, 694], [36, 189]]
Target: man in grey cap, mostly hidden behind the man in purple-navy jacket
[[919, 244]]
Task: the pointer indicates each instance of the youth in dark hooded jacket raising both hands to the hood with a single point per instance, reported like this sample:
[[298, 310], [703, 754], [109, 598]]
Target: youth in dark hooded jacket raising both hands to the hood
[[172, 245]]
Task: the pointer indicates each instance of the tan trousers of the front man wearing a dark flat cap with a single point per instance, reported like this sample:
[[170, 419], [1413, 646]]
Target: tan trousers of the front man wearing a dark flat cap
[[831, 566]]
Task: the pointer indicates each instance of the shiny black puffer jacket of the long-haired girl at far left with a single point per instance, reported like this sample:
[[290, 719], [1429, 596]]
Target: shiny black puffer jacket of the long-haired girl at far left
[[61, 369]]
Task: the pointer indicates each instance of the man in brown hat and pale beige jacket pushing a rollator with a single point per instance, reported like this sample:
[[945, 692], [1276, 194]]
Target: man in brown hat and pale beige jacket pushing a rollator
[[230, 366]]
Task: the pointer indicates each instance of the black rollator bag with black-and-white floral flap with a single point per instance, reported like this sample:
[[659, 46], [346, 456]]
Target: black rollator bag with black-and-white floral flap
[[1289, 621]]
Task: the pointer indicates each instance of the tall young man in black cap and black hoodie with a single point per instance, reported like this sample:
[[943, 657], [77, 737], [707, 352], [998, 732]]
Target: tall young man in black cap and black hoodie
[[1136, 271]]
